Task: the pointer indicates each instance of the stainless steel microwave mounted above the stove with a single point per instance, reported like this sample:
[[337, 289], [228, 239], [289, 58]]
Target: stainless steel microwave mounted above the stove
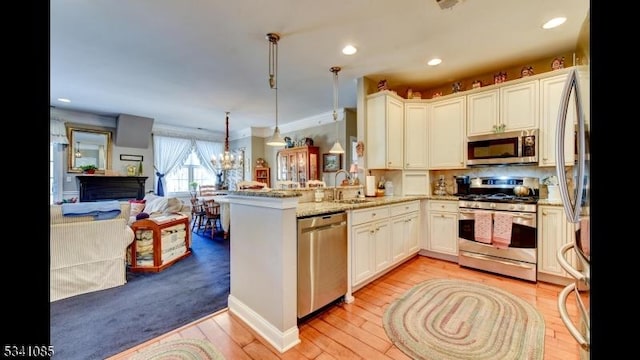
[[512, 147]]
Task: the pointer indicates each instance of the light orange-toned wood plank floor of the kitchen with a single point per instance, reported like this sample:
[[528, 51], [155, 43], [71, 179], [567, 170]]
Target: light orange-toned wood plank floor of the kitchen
[[354, 331]]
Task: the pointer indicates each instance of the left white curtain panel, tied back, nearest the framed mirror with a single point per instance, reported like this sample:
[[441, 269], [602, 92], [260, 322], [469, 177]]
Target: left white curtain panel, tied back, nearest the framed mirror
[[168, 154]]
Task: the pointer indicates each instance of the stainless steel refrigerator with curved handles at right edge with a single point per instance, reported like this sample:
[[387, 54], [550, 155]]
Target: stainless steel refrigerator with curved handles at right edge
[[574, 187]]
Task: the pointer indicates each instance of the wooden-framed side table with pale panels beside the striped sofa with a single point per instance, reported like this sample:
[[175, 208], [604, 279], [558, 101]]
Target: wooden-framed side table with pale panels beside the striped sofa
[[159, 242]]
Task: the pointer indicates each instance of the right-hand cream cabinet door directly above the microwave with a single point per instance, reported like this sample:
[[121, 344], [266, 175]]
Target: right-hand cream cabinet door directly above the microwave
[[519, 107]]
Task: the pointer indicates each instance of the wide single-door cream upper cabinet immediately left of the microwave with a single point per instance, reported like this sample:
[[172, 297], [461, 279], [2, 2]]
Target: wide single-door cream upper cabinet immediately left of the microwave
[[446, 134]]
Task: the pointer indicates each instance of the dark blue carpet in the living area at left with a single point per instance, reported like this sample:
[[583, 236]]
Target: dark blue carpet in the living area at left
[[103, 323]]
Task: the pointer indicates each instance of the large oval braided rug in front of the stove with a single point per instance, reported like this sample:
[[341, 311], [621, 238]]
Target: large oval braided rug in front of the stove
[[458, 319]]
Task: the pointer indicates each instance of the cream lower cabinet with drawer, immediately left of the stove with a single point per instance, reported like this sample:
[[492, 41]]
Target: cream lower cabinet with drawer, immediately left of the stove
[[443, 227]]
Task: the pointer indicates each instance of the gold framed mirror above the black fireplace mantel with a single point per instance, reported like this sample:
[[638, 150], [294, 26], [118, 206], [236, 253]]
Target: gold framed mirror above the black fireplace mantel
[[88, 147]]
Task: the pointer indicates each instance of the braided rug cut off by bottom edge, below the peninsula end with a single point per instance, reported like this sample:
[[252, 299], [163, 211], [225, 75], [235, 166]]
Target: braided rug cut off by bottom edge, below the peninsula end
[[182, 349]]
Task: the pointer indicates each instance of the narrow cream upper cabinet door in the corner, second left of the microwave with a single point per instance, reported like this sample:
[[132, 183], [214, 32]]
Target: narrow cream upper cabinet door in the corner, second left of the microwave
[[415, 136]]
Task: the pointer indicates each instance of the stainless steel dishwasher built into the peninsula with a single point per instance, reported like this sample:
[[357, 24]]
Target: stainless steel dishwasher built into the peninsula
[[322, 261]]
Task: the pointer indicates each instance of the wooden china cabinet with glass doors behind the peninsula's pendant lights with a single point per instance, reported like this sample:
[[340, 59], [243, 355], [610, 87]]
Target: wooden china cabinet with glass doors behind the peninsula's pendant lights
[[299, 164]]
